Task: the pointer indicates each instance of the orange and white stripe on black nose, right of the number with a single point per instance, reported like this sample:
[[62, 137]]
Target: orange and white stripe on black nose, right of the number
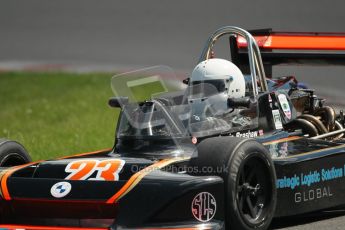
[[137, 177]]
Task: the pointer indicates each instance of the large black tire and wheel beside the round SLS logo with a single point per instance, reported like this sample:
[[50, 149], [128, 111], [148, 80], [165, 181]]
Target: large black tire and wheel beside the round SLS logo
[[249, 179]]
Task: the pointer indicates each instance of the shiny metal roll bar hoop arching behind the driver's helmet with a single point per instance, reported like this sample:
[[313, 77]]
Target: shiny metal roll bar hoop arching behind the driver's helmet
[[255, 61]]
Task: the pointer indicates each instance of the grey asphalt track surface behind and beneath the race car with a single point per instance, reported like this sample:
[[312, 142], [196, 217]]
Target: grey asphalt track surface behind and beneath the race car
[[130, 34]]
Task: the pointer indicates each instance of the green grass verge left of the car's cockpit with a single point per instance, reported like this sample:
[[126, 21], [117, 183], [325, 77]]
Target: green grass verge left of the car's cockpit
[[57, 114]]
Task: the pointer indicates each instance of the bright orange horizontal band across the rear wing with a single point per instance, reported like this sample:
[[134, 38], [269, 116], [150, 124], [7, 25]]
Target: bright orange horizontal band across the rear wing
[[297, 42]]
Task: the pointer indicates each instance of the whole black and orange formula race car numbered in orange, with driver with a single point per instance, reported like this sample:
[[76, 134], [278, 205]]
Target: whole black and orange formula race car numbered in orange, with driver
[[226, 148]]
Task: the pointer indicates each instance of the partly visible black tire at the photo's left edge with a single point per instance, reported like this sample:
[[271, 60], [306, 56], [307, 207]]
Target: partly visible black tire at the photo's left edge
[[12, 153]]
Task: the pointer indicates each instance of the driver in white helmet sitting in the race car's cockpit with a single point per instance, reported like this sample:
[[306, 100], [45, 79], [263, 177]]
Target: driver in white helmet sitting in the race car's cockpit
[[213, 81]]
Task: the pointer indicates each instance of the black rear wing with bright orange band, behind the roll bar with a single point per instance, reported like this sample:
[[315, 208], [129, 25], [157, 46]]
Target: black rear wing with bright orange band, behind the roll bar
[[291, 48]]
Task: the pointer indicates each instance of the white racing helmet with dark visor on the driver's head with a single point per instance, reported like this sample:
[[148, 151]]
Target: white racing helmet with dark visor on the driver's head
[[221, 73]]
